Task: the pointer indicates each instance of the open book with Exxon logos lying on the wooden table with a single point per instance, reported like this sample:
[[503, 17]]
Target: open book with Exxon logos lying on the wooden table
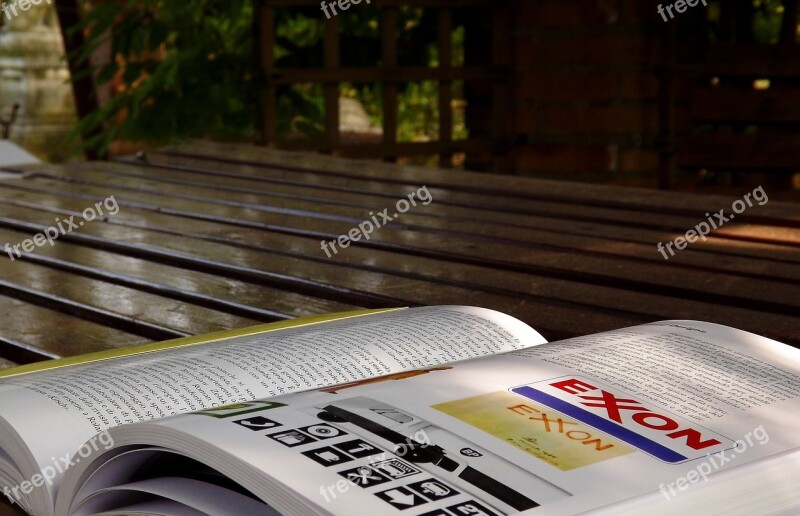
[[436, 411]]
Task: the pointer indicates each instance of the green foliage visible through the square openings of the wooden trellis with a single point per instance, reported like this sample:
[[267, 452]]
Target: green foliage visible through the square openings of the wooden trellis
[[299, 38]]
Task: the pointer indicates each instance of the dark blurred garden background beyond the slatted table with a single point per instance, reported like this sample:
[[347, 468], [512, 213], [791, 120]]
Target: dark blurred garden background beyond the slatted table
[[602, 91]]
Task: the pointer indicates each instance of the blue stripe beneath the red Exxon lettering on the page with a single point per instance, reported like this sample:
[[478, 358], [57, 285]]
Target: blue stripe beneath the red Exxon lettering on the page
[[620, 432]]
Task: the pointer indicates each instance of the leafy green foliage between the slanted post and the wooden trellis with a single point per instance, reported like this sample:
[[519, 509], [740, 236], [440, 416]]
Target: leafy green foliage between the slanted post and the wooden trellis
[[186, 67]]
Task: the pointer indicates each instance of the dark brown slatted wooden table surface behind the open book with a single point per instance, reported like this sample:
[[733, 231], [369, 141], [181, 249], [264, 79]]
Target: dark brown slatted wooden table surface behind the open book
[[216, 236]]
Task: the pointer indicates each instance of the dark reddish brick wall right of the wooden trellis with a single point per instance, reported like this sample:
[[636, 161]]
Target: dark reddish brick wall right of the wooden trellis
[[584, 101]]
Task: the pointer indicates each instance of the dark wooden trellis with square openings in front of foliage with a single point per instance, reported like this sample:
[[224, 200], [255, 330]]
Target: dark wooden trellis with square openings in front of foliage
[[491, 139]]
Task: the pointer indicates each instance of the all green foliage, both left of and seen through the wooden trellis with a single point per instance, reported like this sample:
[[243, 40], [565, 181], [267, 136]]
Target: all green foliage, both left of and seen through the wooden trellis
[[187, 69]]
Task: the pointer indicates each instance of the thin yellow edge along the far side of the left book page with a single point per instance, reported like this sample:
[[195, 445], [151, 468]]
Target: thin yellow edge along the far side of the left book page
[[193, 340]]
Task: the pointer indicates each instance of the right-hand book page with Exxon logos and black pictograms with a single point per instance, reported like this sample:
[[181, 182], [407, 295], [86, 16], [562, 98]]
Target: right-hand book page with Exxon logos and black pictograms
[[562, 428]]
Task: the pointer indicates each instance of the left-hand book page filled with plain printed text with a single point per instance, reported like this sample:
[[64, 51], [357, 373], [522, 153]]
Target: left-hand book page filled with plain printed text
[[83, 400]]
